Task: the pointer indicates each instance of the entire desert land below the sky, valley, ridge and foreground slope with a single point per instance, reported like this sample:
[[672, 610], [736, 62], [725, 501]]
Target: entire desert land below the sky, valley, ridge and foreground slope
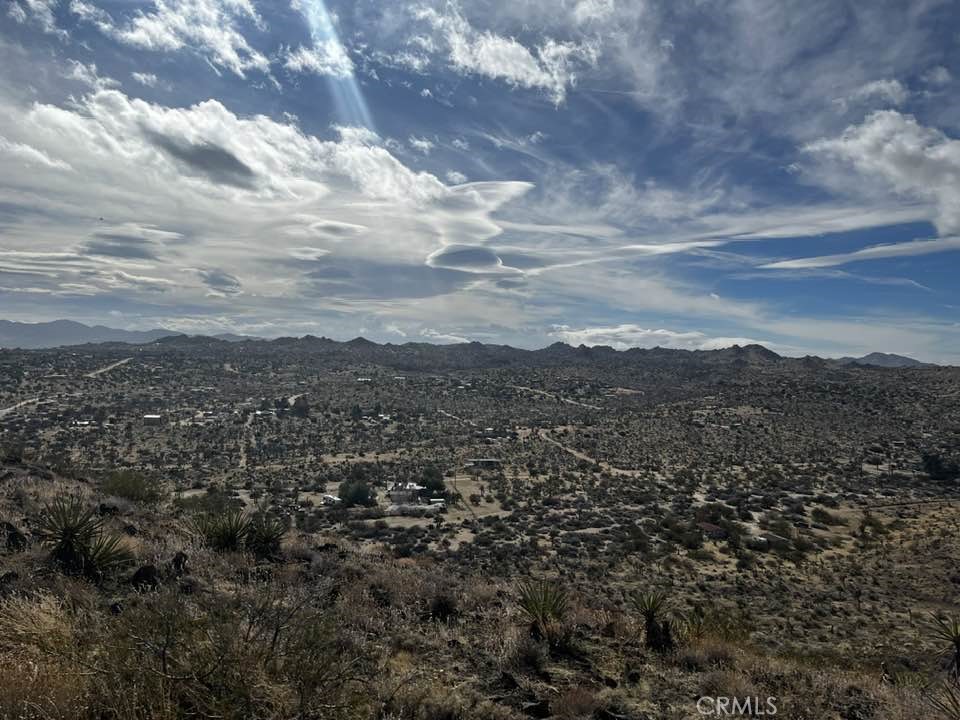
[[299, 529]]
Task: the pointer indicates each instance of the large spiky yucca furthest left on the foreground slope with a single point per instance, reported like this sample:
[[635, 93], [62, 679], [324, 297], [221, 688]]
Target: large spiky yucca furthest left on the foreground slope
[[79, 545]]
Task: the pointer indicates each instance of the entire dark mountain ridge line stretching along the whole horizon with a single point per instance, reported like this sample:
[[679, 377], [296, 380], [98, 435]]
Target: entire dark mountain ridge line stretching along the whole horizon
[[60, 333]]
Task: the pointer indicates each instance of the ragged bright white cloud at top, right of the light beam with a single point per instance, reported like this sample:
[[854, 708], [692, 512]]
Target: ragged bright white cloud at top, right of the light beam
[[550, 66]]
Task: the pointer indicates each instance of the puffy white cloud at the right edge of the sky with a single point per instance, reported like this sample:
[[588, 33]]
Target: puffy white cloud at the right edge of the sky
[[913, 160]]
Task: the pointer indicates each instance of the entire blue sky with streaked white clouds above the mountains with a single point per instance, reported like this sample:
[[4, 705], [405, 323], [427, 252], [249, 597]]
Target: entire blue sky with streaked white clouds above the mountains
[[684, 173]]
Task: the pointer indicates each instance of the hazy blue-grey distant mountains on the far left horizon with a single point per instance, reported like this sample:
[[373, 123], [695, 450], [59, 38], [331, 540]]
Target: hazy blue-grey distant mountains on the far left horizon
[[61, 333]]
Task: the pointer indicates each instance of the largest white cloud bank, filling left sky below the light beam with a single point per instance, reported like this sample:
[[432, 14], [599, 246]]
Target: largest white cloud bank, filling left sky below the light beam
[[300, 219]]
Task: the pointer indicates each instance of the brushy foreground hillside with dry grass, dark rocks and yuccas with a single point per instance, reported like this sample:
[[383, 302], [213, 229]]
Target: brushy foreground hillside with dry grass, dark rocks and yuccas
[[172, 616]]
